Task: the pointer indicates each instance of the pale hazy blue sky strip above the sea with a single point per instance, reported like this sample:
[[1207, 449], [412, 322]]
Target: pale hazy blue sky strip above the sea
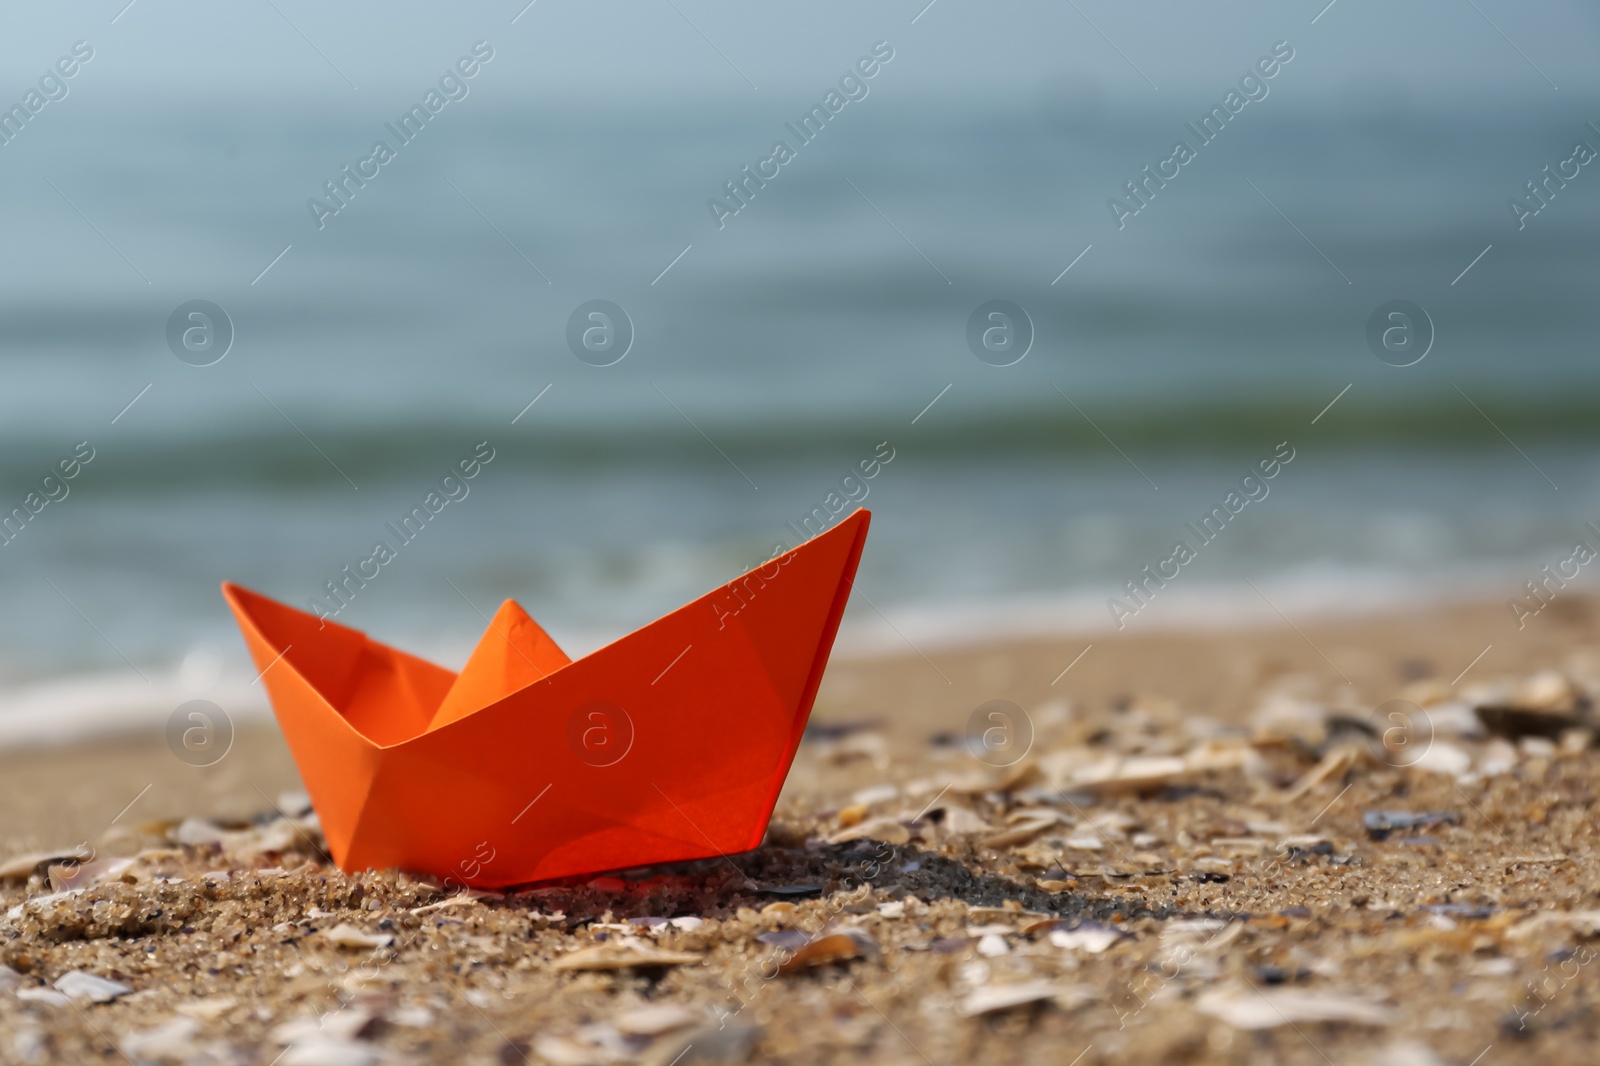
[[726, 47]]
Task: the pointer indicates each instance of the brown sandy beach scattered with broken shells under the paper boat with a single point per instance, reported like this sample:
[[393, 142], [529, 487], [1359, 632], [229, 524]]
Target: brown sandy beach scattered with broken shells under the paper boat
[[1210, 852]]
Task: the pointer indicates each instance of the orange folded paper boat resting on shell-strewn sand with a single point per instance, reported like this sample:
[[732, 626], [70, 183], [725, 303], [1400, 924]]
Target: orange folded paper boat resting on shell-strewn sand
[[668, 745]]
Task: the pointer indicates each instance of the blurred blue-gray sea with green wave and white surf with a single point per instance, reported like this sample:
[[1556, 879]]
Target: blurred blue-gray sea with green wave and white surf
[[769, 358]]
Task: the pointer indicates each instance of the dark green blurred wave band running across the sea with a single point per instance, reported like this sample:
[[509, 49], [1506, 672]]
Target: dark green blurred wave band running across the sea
[[377, 452]]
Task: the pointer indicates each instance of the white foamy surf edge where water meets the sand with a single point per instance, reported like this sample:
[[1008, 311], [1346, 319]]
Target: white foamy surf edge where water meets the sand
[[58, 711]]
